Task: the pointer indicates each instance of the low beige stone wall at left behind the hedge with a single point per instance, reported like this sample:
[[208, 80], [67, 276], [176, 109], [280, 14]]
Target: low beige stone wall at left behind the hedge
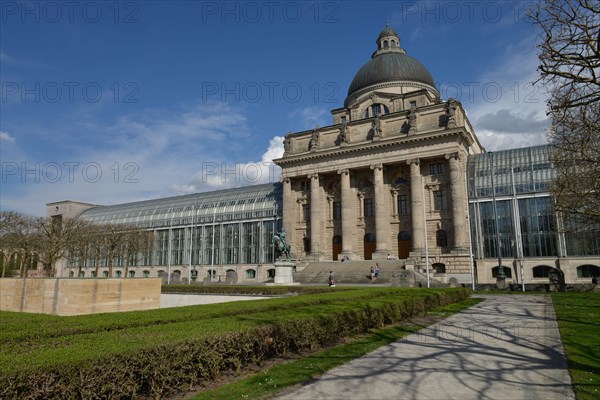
[[64, 296]]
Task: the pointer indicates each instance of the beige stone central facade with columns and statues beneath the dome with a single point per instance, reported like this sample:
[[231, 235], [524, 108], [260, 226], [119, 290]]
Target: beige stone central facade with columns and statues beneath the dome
[[388, 171]]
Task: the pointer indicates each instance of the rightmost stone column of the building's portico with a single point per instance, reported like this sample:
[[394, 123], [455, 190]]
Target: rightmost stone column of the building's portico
[[459, 206]]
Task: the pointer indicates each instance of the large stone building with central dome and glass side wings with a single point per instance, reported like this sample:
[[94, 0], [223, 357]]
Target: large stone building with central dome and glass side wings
[[399, 174]]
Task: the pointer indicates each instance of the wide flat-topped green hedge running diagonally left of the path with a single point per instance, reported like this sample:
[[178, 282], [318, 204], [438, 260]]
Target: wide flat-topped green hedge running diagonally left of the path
[[160, 352]]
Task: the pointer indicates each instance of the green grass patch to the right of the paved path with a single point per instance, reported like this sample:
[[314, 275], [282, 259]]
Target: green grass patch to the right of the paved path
[[578, 316]]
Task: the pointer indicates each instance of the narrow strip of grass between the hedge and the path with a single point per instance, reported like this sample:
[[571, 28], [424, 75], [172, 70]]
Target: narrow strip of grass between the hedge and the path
[[267, 383]]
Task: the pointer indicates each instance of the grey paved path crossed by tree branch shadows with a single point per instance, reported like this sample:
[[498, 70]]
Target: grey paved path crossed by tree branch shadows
[[506, 347]]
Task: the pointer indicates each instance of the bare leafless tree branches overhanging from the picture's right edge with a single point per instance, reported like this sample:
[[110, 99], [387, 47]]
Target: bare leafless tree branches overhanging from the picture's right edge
[[570, 65]]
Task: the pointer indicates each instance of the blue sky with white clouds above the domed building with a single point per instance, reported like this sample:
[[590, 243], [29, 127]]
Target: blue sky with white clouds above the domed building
[[111, 102]]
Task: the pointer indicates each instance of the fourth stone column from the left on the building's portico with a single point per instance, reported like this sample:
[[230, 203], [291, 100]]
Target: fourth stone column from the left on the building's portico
[[382, 215]]
